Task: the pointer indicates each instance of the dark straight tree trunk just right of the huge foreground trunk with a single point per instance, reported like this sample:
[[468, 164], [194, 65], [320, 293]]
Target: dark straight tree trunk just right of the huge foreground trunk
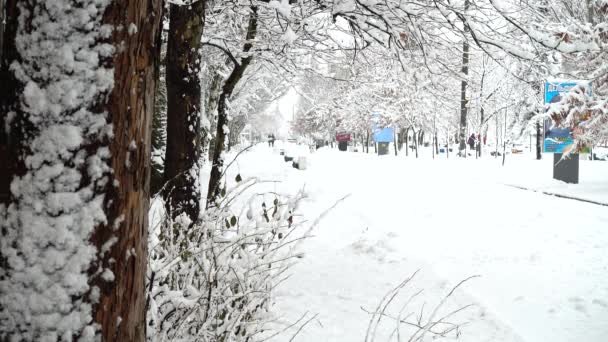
[[182, 194]]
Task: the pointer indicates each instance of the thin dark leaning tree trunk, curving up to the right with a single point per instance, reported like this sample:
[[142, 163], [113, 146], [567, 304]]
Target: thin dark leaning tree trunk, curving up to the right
[[215, 179]]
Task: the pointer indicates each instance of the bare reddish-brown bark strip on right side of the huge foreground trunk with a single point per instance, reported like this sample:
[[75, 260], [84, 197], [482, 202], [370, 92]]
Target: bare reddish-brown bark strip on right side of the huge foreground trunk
[[121, 309]]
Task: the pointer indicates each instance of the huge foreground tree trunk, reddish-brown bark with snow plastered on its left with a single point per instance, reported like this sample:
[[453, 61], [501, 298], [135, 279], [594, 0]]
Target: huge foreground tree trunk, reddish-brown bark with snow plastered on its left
[[74, 234]]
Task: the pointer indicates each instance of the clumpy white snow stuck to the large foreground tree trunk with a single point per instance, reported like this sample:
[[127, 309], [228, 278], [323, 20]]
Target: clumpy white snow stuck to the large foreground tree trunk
[[44, 292]]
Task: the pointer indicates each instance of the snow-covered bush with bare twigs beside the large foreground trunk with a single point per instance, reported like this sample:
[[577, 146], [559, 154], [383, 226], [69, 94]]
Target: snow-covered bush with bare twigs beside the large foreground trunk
[[212, 280]]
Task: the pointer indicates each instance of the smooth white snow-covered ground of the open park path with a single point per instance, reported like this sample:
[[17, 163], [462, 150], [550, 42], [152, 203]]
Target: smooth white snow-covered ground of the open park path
[[542, 260]]
